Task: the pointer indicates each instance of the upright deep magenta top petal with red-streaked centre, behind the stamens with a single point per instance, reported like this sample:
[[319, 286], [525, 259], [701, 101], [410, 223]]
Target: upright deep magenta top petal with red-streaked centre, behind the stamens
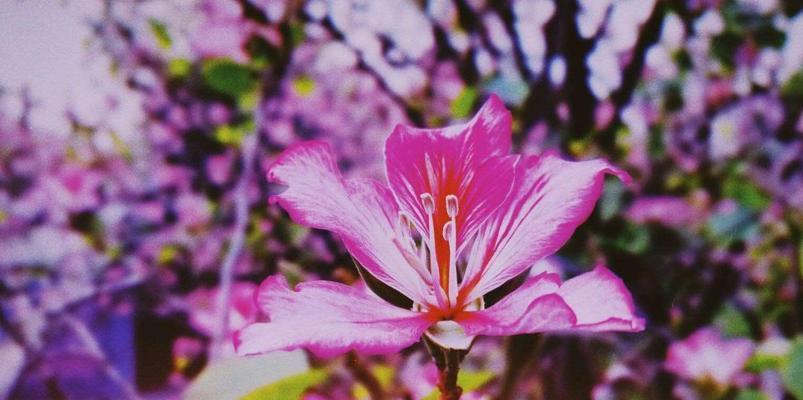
[[462, 160]]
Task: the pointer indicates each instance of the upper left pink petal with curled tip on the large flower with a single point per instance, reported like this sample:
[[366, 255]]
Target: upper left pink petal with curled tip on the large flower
[[363, 213]]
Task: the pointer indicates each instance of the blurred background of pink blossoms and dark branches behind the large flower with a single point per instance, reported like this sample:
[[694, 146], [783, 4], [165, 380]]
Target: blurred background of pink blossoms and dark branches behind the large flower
[[133, 204]]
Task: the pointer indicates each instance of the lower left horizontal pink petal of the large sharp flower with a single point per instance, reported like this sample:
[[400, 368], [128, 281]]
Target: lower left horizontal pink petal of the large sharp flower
[[328, 319]]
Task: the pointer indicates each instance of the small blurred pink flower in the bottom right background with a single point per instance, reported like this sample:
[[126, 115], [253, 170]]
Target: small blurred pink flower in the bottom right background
[[705, 355]]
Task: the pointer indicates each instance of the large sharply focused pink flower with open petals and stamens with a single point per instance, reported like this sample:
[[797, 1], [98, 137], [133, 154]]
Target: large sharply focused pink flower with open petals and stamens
[[482, 217]]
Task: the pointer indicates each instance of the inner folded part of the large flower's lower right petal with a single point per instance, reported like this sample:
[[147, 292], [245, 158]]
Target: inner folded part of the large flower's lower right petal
[[533, 307]]
